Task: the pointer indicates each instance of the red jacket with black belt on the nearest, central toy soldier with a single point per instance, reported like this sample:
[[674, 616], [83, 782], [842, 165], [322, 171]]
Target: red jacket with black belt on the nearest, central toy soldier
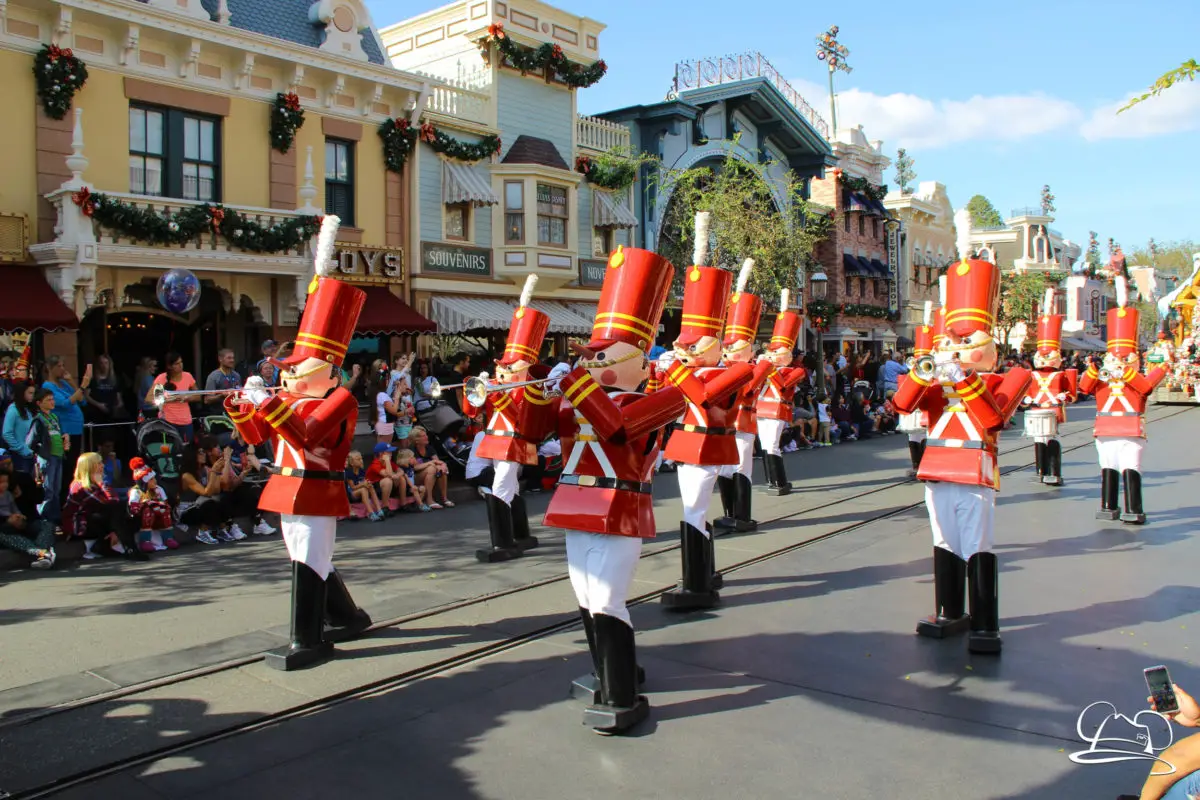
[[610, 443]]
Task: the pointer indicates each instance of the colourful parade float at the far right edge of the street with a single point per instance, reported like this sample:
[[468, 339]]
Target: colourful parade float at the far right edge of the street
[[1178, 347]]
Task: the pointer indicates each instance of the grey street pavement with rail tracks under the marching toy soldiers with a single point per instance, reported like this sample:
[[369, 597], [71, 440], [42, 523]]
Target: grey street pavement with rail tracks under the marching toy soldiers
[[808, 682]]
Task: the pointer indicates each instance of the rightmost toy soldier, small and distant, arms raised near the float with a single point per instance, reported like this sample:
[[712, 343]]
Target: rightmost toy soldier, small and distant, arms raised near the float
[[1121, 394]]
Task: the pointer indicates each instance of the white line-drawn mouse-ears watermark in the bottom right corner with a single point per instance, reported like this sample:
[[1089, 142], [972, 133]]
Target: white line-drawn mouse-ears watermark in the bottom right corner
[[1115, 738]]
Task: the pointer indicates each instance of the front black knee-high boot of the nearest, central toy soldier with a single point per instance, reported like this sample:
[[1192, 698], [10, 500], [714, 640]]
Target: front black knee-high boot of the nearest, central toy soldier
[[621, 707]]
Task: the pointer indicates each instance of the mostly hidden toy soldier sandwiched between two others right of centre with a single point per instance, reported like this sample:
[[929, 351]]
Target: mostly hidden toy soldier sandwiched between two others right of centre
[[736, 480]]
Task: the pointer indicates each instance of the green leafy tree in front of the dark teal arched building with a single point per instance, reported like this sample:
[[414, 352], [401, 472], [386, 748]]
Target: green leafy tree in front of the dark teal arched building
[[747, 222]]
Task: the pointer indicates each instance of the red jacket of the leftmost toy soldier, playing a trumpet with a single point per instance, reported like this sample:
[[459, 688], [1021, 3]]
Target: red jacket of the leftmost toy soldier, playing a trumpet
[[314, 437]]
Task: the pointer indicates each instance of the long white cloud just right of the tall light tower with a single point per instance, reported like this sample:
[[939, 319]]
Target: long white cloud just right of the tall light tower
[[908, 121]]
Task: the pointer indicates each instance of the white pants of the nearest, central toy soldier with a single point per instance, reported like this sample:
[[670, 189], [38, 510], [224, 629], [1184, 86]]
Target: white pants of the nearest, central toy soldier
[[602, 569]]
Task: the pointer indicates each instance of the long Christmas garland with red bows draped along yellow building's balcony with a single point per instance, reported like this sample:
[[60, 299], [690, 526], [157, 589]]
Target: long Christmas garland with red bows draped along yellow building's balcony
[[188, 225]]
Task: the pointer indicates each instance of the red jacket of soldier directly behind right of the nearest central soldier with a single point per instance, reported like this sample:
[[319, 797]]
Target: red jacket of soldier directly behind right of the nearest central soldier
[[705, 437]]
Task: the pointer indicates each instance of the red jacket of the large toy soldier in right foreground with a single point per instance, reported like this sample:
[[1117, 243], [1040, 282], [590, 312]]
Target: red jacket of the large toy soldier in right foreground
[[965, 422]]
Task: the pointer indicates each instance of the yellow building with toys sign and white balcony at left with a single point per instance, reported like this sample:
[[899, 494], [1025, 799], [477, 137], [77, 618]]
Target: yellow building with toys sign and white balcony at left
[[176, 117]]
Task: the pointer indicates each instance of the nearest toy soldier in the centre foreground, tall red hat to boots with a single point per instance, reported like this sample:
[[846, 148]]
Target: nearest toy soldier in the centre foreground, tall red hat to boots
[[603, 498]]
